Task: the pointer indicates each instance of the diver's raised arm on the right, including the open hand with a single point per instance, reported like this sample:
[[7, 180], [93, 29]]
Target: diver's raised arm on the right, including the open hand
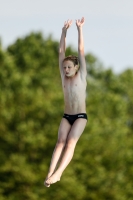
[[79, 24]]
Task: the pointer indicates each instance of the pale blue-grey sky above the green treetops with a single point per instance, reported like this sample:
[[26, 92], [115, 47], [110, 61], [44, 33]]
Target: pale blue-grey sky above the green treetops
[[108, 29]]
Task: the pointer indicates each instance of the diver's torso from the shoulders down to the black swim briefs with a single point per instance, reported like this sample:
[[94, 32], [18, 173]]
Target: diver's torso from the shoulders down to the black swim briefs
[[74, 89]]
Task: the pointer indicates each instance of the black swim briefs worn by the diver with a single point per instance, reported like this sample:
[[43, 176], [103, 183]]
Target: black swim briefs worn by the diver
[[73, 118]]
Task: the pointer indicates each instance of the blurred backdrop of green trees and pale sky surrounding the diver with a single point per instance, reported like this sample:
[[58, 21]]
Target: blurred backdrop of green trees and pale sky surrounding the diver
[[31, 99]]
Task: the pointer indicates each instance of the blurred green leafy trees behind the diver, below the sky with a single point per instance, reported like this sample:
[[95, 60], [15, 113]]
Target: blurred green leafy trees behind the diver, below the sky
[[31, 107]]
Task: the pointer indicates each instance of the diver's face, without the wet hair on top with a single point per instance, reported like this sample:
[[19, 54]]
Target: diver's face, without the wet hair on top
[[69, 68]]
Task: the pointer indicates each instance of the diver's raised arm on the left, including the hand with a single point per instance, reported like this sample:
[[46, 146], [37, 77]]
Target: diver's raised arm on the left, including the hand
[[62, 45]]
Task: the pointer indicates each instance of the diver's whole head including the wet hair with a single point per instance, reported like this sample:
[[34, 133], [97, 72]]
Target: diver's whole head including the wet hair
[[70, 65]]
